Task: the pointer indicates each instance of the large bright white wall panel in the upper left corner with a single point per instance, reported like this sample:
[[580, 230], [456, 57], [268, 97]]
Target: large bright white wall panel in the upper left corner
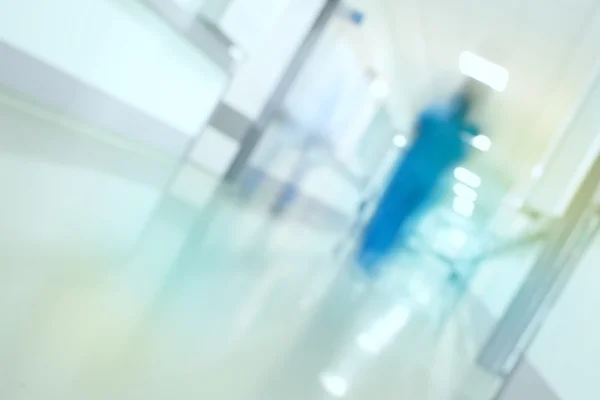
[[122, 48]]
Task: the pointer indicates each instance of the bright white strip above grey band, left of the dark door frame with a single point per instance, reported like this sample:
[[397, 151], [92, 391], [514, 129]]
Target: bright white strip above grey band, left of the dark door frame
[[258, 76]]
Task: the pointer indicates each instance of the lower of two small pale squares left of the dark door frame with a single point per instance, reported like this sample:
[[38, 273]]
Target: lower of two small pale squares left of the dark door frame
[[194, 186]]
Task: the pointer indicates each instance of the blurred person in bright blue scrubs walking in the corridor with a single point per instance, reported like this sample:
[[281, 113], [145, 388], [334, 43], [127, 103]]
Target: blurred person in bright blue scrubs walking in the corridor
[[441, 141]]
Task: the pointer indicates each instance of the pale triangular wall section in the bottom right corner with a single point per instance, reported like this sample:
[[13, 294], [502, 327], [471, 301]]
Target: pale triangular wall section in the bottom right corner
[[566, 351]]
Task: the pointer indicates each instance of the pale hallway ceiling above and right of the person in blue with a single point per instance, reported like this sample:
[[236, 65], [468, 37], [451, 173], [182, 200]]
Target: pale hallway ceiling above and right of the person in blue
[[550, 47]]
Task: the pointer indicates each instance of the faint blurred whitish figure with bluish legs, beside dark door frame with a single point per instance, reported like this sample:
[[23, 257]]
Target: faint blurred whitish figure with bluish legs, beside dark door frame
[[313, 117]]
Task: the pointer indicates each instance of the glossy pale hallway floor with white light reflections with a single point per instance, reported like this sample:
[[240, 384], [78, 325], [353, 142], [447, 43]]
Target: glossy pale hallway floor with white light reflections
[[112, 290]]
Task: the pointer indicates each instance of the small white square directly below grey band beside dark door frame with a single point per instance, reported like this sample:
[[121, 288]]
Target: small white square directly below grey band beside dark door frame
[[215, 151]]
